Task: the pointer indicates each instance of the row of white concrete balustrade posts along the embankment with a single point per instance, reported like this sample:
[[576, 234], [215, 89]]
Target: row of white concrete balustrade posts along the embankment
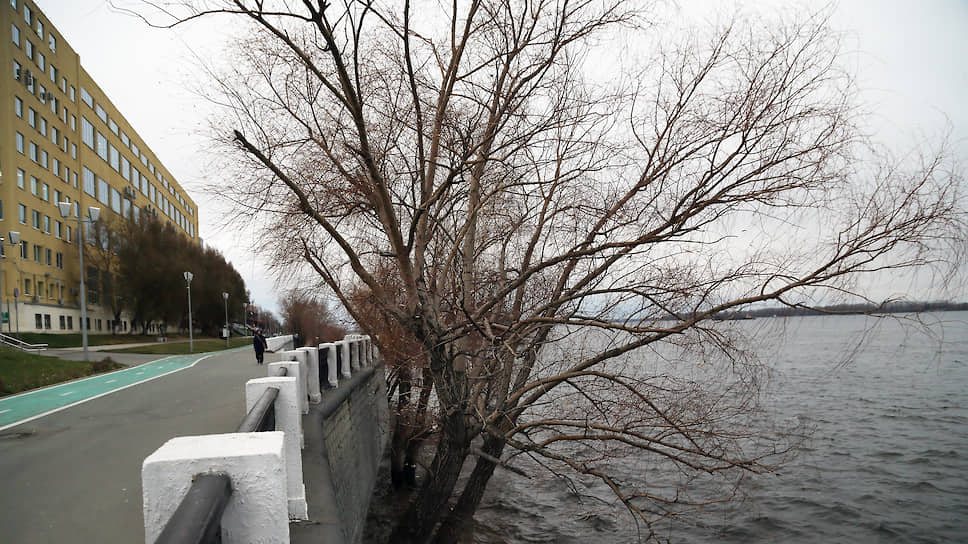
[[265, 468]]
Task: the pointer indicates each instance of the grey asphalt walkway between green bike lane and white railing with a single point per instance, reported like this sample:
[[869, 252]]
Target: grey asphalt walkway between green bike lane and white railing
[[75, 475]]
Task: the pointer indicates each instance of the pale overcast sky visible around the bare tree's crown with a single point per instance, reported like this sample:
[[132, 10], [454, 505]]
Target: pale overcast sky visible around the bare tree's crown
[[909, 57]]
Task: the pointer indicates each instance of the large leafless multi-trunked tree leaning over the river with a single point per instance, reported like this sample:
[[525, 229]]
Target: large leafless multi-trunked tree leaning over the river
[[557, 244]]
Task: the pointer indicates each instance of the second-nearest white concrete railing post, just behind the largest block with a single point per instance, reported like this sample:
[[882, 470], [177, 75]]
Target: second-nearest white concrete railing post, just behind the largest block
[[289, 421]]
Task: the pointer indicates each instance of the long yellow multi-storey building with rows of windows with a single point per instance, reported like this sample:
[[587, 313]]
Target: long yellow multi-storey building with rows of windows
[[63, 141]]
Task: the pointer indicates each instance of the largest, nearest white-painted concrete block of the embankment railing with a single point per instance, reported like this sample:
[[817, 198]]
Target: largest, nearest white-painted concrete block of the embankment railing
[[257, 509]]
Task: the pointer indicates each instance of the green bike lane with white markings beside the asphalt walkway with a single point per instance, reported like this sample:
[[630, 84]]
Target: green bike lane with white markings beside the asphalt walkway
[[30, 405]]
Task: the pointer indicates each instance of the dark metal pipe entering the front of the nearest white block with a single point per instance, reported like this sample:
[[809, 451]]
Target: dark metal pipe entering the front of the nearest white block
[[198, 519]]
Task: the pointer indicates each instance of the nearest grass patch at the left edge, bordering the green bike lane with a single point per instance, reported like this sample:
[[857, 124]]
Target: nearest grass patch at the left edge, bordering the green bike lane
[[21, 371]]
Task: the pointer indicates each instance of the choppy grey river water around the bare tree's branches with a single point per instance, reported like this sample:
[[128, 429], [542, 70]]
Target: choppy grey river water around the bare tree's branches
[[886, 461]]
